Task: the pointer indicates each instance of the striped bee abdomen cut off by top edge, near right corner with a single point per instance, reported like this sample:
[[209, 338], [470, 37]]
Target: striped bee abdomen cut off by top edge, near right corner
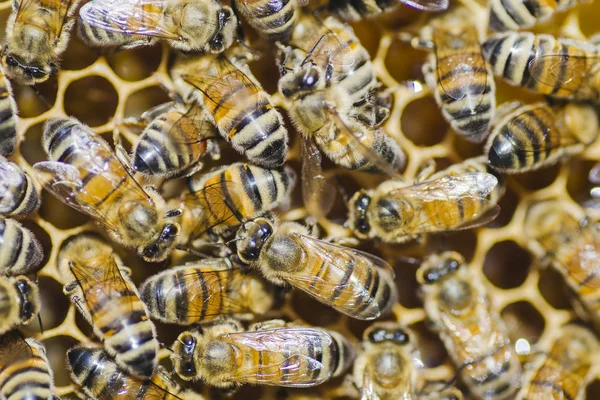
[[520, 14]]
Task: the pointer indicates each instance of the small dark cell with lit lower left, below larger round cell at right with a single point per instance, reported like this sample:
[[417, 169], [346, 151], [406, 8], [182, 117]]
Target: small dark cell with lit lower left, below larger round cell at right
[[524, 321]]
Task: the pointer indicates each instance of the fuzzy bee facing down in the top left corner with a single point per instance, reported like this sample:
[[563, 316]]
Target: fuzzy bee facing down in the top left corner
[[37, 33]]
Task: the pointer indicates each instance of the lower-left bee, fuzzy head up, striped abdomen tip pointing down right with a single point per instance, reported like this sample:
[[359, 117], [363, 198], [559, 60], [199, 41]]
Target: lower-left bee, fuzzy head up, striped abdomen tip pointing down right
[[102, 290]]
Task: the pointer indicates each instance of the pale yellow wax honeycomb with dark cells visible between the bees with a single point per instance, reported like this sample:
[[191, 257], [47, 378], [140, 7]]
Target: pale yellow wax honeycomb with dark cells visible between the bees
[[102, 88]]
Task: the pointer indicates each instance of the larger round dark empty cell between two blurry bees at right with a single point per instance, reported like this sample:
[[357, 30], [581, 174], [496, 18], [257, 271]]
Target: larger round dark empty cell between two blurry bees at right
[[506, 265]]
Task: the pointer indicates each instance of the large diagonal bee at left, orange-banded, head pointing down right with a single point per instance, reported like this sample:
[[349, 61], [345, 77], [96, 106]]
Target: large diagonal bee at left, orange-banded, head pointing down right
[[85, 174]]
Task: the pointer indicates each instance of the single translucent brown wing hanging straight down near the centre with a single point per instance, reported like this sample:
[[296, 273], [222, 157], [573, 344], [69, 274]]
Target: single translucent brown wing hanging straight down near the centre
[[317, 191]]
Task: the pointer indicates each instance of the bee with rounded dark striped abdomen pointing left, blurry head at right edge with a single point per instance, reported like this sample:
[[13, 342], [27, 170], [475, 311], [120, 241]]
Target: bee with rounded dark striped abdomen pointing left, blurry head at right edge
[[537, 135]]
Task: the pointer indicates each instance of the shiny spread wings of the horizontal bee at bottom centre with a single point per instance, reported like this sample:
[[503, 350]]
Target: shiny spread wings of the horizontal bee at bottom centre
[[283, 347]]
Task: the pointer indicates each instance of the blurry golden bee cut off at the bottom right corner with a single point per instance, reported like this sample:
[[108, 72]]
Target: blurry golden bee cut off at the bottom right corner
[[565, 371]]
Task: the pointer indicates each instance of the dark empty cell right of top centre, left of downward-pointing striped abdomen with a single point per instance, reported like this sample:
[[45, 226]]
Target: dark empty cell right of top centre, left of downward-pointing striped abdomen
[[422, 122]]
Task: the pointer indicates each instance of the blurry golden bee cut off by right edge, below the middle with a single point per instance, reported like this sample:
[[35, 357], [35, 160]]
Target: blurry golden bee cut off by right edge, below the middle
[[572, 248]]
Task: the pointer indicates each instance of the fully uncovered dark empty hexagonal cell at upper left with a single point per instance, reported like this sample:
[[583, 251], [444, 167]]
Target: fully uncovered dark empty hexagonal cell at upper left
[[93, 100]]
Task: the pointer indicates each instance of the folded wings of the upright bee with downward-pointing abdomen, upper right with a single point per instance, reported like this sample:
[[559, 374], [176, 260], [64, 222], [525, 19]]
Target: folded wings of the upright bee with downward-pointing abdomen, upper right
[[463, 72]]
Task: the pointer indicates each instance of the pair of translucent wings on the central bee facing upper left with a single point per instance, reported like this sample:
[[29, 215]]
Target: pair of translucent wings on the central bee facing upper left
[[337, 258]]
